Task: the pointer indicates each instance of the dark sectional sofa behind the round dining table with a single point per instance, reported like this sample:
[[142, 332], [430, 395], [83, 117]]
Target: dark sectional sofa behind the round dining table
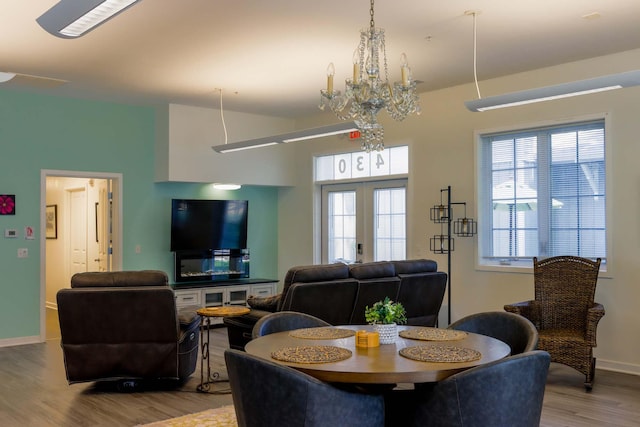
[[338, 294]]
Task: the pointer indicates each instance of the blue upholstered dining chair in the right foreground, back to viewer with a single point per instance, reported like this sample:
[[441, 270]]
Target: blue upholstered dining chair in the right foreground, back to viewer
[[505, 393]]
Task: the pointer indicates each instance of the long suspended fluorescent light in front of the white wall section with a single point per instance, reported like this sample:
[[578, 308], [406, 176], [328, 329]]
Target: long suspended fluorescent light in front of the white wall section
[[300, 135]]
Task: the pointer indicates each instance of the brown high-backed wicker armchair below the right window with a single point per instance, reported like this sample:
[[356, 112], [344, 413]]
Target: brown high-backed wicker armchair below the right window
[[564, 311]]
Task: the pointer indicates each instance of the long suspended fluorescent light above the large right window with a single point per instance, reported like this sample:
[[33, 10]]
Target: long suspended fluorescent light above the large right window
[[565, 90]]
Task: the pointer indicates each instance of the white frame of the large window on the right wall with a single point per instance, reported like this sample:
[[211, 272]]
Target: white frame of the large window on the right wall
[[525, 264]]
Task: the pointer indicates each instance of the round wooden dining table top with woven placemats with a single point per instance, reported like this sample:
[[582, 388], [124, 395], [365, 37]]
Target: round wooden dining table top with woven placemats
[[383, 364]]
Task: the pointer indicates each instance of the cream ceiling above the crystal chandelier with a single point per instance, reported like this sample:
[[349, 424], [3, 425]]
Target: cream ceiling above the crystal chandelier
[[270, 57]]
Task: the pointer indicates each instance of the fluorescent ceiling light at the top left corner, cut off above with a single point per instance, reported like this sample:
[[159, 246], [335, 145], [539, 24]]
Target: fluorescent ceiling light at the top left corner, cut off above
[[72, 18]]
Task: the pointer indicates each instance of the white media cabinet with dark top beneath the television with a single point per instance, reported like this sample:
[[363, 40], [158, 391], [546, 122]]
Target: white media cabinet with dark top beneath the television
[[222, 295]]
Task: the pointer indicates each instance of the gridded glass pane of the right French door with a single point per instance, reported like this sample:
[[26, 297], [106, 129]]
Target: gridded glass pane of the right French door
[[390, 240]]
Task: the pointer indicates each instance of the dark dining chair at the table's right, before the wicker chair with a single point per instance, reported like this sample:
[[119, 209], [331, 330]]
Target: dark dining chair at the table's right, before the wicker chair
[[515, 330]]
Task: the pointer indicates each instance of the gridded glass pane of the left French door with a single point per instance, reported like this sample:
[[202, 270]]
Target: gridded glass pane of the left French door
[[341, 237]]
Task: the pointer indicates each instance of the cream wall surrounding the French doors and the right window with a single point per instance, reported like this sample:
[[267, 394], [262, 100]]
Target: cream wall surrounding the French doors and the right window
[[442, 153]]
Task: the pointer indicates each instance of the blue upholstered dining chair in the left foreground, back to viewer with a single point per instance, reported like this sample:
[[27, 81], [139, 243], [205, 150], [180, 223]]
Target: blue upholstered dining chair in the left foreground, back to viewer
[[267, 394]]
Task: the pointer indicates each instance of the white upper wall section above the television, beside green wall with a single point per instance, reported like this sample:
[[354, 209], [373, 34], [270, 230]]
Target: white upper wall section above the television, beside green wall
[[184, 153]]
